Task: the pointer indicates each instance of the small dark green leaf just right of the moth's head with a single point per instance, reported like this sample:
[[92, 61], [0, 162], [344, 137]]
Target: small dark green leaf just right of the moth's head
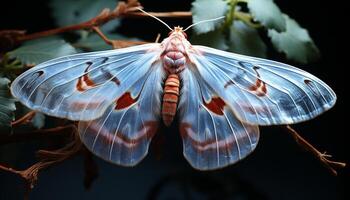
[[215, 39]]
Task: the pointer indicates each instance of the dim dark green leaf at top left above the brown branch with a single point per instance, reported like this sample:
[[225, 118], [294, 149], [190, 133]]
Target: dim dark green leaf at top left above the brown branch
[[68, 12]]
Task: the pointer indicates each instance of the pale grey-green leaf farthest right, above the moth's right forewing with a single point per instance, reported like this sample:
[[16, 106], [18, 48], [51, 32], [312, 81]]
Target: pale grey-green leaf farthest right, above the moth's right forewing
[[295, 42]]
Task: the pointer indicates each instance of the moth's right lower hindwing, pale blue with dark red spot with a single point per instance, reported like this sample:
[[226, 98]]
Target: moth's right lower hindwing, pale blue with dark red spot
[[213, 137]]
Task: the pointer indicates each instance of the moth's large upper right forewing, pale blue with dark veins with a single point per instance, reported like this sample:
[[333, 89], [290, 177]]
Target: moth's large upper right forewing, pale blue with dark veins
[[261, 91]]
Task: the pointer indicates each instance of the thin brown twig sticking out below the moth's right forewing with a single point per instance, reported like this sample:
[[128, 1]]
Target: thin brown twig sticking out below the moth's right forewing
[[322, 157]]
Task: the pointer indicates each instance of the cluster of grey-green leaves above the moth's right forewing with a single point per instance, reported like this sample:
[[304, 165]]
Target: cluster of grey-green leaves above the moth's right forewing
[[245, 21]]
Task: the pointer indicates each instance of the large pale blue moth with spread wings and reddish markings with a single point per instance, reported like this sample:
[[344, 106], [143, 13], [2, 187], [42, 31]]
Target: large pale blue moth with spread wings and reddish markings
[[120, 98]]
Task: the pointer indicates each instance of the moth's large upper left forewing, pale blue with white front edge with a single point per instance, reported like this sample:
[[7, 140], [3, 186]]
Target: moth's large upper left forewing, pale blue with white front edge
[[89, 82]]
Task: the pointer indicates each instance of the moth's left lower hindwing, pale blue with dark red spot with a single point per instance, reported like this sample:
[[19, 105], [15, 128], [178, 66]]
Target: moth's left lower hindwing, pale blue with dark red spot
[[123, 133]]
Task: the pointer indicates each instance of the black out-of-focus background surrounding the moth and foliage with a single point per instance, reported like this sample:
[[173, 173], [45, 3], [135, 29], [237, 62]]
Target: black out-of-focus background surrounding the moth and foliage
[[278, 169]]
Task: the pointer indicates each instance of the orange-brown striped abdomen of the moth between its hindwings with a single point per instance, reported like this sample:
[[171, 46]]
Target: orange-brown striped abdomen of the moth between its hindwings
[[170, 98]]
